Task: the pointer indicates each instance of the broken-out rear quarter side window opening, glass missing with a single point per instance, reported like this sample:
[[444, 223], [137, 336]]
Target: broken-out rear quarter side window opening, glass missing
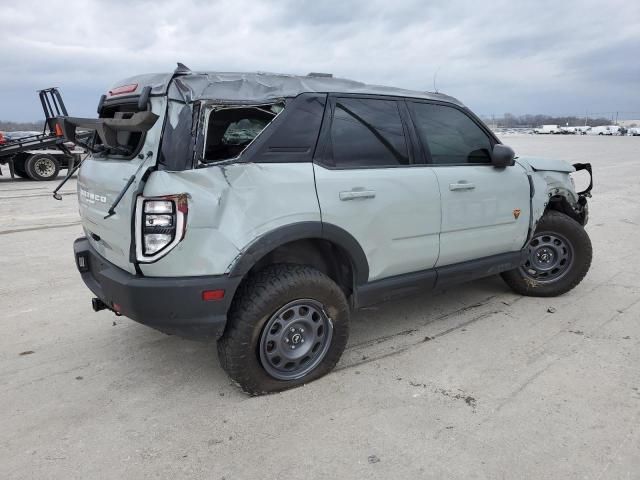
[[231, 130]]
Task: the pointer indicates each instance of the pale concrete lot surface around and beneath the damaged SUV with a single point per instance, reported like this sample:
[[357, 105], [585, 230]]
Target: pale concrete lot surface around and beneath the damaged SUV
[[473, 382]]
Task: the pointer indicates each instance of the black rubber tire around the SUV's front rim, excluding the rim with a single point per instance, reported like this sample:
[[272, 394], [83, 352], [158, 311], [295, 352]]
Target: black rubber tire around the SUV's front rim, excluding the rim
[[581, 254]]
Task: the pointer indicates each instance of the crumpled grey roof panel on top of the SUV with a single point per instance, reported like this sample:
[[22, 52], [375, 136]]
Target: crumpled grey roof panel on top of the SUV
[[260, 87]]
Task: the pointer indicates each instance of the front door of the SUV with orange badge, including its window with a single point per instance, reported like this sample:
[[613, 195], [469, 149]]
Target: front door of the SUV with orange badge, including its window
[[485, 210]]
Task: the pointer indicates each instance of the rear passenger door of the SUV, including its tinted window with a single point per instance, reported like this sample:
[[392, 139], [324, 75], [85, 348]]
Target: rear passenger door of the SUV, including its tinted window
[[369, 185]]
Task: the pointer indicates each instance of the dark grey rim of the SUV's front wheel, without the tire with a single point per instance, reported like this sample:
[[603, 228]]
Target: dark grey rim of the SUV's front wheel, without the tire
[[550, 257]]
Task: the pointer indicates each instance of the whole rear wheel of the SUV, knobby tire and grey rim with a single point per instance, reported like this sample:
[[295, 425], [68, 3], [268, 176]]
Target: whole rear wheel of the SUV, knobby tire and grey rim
[[288, 326]]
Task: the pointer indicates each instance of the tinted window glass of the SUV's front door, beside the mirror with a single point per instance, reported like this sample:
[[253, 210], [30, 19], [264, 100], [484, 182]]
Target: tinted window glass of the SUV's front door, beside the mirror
[[451, 136]]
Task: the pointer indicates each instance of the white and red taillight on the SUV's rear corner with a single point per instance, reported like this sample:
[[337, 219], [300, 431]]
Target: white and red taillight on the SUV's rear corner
[[160, 225]]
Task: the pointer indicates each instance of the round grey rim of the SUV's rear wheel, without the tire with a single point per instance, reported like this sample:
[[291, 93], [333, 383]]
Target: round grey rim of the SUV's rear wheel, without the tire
[[295, 339]]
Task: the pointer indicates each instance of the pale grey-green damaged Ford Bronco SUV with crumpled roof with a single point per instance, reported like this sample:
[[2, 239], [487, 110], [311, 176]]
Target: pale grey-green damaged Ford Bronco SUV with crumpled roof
[[259, 210]]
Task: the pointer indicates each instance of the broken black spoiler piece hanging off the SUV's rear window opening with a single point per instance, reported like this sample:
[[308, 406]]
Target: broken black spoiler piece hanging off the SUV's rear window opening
[[107, 128]]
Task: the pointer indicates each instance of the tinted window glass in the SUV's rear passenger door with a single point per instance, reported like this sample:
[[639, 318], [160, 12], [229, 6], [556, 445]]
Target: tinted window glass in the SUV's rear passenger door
[[367, 133]]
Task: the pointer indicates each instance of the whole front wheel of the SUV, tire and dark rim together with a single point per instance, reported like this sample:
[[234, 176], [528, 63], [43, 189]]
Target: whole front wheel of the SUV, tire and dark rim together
[[558, 257]]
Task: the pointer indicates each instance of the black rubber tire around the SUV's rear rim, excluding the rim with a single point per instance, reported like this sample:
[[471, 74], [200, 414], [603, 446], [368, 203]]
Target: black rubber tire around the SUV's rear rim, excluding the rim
[[256, 304]]
